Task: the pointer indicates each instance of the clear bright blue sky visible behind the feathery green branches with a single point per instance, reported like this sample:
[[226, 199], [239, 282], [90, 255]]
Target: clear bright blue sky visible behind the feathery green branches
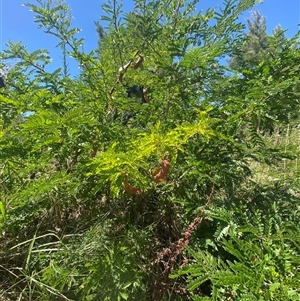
[[17, 22]]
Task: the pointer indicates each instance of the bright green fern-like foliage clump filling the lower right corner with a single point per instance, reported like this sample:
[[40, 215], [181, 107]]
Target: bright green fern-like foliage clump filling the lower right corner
[[257, 252]]
